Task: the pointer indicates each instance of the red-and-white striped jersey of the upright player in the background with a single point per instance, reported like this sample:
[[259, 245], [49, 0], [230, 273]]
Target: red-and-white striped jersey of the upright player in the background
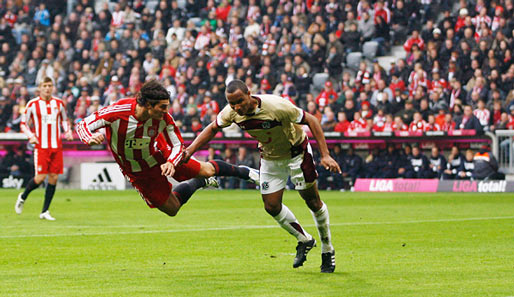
[[46, 117]]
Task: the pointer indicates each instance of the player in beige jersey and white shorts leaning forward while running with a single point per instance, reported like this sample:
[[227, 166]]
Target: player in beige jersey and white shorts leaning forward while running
[[285, 152]]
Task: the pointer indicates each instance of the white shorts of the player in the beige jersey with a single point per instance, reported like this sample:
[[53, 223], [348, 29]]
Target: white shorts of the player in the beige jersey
[[301, 168]]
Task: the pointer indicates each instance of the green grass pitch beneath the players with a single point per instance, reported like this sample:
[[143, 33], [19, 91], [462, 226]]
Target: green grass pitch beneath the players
[[222, 243]]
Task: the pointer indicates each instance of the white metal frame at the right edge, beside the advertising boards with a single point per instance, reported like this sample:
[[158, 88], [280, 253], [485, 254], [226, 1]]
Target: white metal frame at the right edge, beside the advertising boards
[[503, 150]]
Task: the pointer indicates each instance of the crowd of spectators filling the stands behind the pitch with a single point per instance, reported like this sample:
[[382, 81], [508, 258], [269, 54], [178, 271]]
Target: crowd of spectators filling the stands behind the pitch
[[457, 74]]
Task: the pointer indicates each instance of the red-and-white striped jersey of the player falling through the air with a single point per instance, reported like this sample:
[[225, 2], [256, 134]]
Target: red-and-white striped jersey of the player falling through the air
[[135, 145]]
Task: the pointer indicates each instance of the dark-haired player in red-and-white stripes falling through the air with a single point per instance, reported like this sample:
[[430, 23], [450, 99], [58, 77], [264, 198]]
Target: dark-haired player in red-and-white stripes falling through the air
[[147, 145]]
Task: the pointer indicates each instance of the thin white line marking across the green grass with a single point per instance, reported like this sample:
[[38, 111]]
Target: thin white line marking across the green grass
[[248, 227]]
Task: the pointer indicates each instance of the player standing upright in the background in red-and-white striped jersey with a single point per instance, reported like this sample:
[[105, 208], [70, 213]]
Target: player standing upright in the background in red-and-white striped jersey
[[47, 114]]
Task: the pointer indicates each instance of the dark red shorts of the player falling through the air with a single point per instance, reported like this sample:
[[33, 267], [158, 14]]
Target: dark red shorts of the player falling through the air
[[155, 188]]
